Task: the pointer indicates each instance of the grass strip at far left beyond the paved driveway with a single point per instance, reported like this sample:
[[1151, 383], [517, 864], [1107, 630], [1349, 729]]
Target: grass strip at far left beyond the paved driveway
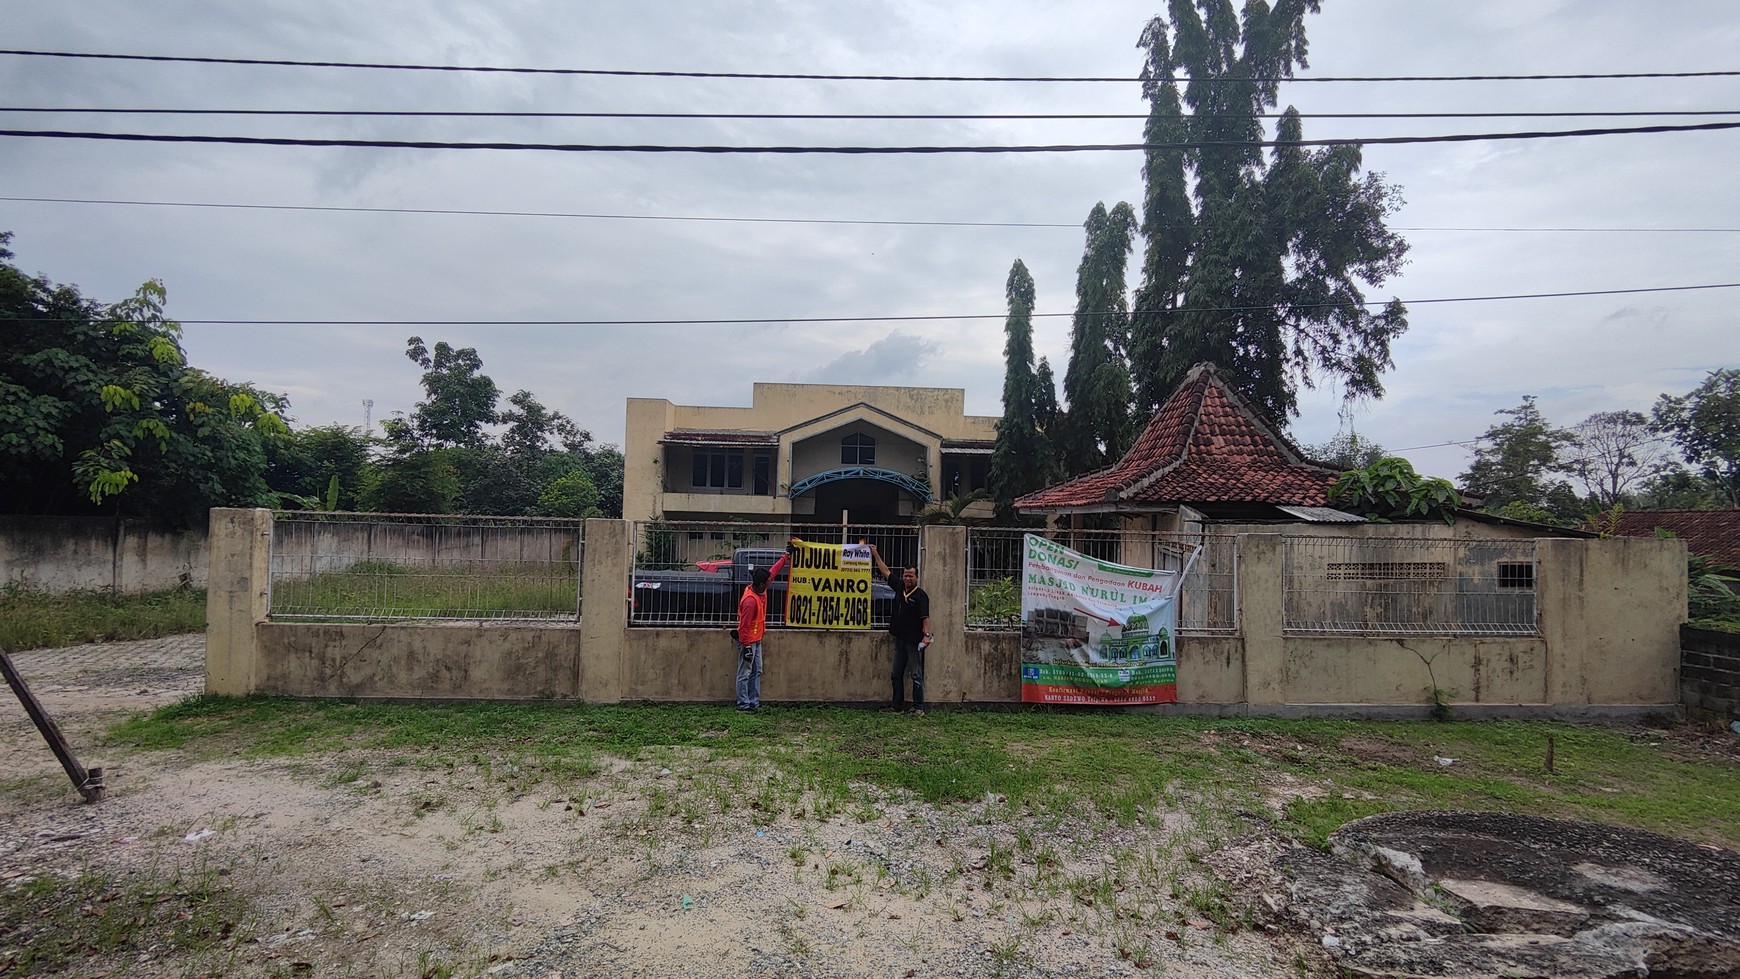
[[41, 620]]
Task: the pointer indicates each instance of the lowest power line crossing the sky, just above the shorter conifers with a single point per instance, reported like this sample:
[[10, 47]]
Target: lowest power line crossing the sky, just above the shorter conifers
[[913, 319]]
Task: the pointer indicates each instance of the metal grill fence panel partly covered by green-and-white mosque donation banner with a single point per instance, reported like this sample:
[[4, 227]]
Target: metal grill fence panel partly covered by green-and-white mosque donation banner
[[1210, 601]]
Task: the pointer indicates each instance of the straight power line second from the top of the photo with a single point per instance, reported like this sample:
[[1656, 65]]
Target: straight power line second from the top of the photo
[[824, 117]]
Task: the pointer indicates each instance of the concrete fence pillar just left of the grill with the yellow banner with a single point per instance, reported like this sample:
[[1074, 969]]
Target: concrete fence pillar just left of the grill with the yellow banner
[[610, 550]]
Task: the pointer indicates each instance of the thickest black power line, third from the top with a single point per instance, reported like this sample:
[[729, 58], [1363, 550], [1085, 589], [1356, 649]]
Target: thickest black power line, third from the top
[[860, 150]]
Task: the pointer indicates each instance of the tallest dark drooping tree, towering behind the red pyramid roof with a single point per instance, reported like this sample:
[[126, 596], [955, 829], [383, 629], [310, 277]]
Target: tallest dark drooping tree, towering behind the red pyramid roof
[[1254, 265]]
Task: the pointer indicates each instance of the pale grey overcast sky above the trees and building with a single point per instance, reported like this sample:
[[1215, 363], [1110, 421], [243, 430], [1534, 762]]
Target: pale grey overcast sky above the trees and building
[[1457, 364]]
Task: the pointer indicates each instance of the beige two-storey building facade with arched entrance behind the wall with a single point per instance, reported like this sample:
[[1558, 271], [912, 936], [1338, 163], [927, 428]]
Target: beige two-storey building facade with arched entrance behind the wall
[[805, 455]]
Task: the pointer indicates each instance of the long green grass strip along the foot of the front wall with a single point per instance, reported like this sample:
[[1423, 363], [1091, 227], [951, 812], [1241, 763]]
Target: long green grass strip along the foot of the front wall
[[1038, 763]]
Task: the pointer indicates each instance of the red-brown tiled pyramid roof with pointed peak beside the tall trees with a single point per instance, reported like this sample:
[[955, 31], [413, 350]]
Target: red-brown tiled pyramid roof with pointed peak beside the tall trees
[[1207, 444]]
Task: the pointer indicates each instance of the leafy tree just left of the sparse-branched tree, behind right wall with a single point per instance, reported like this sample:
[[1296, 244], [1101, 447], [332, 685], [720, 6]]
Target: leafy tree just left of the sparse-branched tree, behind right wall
[[1515, 463]]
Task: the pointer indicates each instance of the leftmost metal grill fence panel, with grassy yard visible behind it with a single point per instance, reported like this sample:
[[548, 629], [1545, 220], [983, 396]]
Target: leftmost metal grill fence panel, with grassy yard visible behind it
[[415, 566]]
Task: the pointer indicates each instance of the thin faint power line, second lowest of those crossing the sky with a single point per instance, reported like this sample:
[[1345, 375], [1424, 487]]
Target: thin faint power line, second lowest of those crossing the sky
[[732, 220]]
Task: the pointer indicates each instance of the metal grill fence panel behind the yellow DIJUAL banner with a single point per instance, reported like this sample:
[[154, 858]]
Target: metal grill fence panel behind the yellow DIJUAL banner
[[686, 571]]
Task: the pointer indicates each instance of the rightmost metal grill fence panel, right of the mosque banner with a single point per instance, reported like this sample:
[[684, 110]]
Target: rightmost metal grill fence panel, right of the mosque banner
[[1457, 589]]
